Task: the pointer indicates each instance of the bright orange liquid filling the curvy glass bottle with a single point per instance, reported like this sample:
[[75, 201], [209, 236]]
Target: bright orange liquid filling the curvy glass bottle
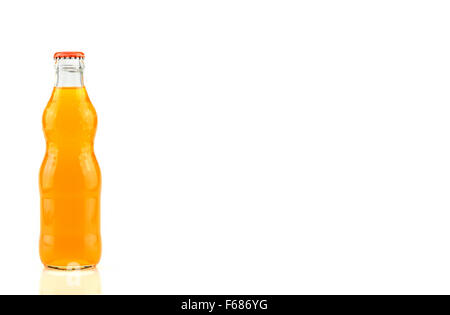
[[70, 182]]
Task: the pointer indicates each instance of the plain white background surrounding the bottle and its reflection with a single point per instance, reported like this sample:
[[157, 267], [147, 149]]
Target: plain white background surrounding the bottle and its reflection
[[247, 147]]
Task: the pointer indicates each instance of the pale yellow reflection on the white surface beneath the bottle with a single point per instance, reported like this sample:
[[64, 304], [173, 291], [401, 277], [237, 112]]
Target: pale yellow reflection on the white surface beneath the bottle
[[77, 282]]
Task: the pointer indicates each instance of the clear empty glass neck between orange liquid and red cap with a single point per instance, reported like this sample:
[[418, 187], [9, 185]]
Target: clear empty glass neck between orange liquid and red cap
[[69, 72]]
